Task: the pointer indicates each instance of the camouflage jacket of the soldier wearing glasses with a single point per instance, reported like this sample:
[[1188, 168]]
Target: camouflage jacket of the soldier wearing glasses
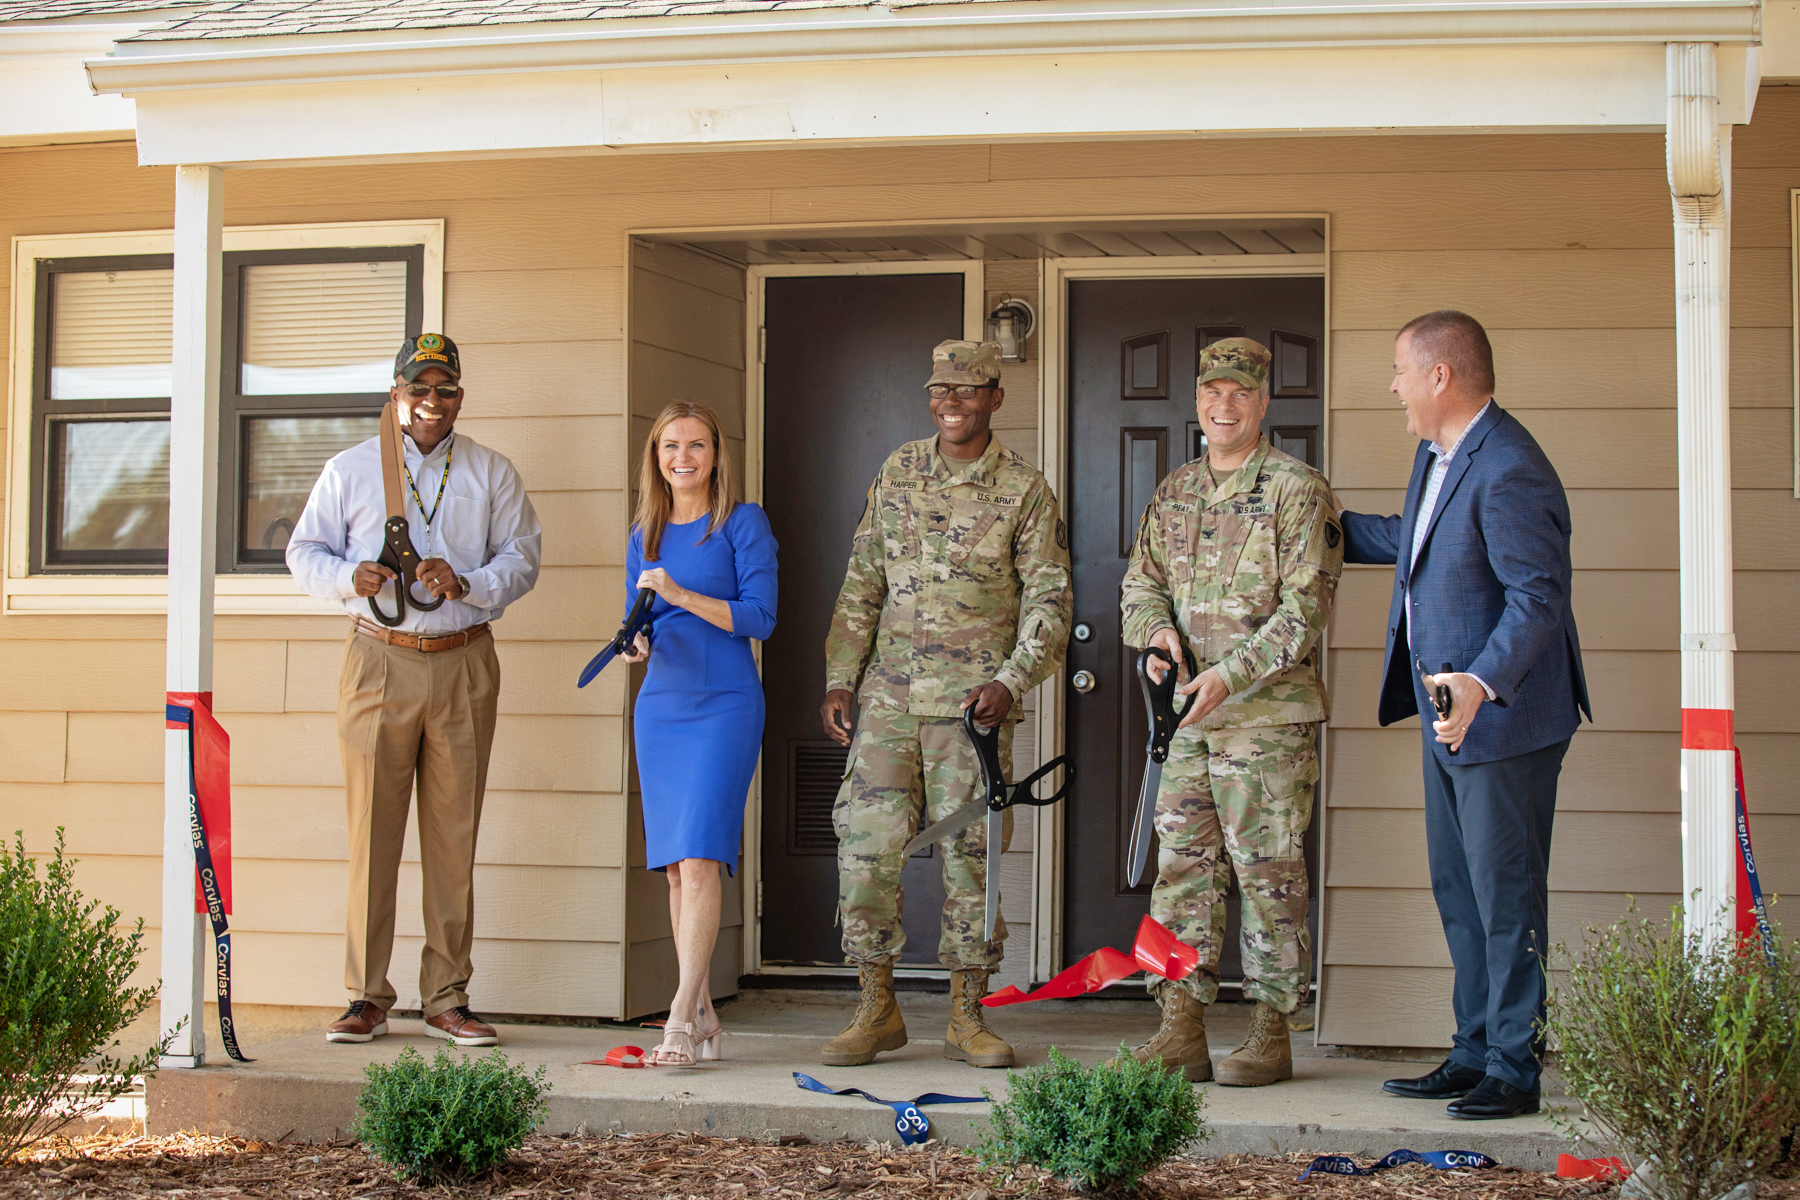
[[958, 577]]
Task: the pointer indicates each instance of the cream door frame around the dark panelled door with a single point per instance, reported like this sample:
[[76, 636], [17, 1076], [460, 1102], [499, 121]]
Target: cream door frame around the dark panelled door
[[1054, 427]]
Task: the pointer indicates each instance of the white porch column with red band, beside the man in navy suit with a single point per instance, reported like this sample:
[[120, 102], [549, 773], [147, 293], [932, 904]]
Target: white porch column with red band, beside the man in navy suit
[[1700, 179]]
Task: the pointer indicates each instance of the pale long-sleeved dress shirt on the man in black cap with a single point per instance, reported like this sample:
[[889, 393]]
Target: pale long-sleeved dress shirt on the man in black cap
[[485, 528]]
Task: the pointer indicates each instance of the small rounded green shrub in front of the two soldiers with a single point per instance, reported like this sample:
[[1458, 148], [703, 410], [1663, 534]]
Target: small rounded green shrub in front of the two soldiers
[[1097, 1127]]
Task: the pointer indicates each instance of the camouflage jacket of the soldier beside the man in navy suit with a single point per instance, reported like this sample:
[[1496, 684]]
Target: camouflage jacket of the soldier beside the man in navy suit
[[1246, 569]]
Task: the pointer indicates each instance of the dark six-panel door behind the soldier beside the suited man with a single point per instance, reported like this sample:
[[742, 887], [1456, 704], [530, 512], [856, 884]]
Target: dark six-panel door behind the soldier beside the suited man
[[1131, 422]]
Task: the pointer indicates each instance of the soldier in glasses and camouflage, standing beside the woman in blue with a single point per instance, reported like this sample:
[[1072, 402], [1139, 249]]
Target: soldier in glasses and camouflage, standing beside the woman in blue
[[957, 596]]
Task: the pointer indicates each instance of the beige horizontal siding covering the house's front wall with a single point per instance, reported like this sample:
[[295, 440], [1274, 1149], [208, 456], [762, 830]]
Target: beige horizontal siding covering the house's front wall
[[1560, 242]]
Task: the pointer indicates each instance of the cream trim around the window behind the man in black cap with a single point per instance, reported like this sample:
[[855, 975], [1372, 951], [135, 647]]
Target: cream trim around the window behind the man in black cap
[[145, 591]]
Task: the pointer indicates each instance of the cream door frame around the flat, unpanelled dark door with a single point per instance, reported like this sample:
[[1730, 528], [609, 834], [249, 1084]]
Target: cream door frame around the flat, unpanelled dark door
[[753, 490]]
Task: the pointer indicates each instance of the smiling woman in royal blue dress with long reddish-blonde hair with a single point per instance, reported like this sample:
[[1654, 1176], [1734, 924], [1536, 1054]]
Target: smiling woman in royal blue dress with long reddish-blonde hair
[[699, 717]]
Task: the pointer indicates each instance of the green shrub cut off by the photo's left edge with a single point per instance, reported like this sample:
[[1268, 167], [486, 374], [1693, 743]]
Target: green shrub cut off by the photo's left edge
[[66, 967]]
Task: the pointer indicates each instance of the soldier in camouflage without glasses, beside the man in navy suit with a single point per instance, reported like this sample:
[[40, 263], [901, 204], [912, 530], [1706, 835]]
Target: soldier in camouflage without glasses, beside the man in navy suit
[[1237, 559]]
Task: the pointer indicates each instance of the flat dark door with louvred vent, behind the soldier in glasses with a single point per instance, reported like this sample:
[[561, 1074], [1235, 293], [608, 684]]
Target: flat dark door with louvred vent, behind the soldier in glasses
[[843, 388]]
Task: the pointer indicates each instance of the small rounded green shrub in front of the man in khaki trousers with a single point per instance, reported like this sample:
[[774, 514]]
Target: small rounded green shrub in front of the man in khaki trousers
[[453, 1120]]
